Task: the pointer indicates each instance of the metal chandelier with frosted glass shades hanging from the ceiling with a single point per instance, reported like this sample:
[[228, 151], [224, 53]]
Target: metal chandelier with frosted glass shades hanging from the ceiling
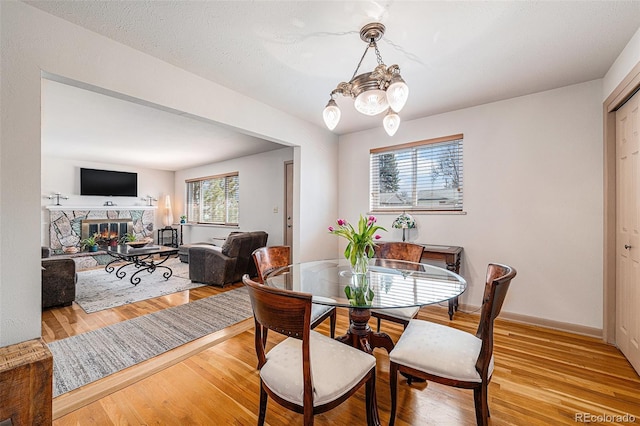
[[382, 89]]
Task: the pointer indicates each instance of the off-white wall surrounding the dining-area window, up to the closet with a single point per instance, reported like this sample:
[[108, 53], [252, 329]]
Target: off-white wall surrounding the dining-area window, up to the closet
[[532, 193]]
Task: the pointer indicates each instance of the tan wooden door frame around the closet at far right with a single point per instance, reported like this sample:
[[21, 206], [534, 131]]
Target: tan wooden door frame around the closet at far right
[[623, 91]]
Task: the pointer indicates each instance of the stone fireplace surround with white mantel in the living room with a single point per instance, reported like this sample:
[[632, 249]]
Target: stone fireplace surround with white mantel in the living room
[[65, 223]]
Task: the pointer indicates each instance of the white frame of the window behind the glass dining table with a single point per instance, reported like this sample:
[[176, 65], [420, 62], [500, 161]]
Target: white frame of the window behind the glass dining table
[[374, 184]]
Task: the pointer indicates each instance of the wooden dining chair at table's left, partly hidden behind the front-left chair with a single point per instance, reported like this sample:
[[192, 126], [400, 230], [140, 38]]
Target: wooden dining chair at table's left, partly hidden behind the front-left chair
[[269, 259]]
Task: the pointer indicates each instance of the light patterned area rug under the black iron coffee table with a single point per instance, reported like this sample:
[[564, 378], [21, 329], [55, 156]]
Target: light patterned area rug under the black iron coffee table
[[97, 289]]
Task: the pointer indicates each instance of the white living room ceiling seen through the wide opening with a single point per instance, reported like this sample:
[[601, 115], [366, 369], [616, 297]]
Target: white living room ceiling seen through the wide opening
[[85, 125]]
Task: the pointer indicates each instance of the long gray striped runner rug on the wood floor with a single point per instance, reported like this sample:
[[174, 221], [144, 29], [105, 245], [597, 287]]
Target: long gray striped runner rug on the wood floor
[[87, 357]]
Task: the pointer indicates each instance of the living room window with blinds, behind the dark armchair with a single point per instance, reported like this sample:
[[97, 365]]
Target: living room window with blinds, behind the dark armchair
[[213, 199]]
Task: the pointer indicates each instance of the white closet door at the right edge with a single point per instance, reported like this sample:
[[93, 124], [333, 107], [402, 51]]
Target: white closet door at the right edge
[[628, 231]]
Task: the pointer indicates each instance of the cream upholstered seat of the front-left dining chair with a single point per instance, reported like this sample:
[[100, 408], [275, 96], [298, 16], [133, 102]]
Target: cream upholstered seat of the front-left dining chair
[[335, 368]]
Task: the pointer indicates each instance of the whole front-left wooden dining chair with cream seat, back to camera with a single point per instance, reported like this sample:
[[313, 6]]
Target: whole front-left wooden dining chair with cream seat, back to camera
[[339, 370]]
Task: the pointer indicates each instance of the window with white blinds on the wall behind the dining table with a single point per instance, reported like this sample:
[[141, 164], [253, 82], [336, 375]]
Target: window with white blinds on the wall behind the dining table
[[418, 176]]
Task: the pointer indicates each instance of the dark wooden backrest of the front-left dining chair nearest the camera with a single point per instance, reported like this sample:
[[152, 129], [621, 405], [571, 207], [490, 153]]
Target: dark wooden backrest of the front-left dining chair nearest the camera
[[280, 311]]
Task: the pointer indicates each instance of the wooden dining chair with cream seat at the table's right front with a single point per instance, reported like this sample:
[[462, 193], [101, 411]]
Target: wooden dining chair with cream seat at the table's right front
[[450, 356]]
